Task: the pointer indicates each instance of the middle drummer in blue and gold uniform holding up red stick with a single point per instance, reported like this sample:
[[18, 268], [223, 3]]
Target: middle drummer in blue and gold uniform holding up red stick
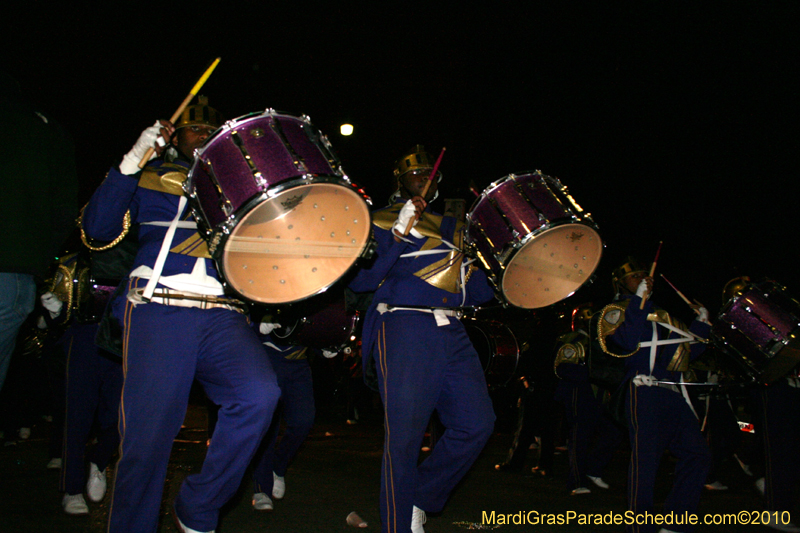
[[424, 358]]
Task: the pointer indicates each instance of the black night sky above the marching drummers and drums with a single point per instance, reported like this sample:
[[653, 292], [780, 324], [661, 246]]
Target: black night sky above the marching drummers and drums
[[673, 121]]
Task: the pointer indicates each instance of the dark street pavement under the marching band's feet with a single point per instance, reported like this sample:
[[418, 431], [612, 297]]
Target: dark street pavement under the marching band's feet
[[338, 472]]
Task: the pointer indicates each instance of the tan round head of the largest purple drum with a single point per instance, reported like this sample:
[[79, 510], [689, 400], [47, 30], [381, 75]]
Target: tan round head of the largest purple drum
[[296, 244]]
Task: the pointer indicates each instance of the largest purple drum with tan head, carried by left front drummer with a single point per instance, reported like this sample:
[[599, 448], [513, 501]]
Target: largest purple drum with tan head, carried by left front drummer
[[280, 217]]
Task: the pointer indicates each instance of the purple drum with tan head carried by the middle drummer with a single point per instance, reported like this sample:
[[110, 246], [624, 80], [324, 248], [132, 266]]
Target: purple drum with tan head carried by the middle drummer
[[535, 240]]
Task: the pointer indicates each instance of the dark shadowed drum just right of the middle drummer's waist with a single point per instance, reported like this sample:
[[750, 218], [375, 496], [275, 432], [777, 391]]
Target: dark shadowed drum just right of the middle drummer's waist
[[497, 349]]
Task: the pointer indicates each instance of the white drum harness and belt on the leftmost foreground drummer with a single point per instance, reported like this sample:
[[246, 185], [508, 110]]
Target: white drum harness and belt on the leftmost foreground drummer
[[209, 289]]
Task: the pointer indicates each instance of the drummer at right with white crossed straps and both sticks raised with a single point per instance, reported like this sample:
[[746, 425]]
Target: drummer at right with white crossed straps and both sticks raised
[[658, 349]]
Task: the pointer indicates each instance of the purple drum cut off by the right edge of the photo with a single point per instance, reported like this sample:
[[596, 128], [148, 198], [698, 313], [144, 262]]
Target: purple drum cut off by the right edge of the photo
[[759, 330]]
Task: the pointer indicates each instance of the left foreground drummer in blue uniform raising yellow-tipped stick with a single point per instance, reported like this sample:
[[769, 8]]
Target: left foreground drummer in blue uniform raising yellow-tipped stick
[[177, 326]]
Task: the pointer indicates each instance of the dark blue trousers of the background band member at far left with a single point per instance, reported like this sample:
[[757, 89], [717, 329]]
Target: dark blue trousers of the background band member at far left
[[94, 386]]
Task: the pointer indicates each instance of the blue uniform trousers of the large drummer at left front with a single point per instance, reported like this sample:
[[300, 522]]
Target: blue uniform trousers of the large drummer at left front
[[164, 349]]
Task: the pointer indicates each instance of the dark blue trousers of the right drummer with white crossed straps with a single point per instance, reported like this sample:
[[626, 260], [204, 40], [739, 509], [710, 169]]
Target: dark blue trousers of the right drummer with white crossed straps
[[659, 419]]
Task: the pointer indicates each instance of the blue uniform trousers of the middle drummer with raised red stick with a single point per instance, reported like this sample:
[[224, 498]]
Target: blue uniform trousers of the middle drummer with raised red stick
[[423, 367]]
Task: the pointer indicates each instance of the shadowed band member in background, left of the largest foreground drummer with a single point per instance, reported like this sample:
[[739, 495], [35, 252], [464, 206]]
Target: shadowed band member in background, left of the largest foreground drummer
[[93, 376]]
